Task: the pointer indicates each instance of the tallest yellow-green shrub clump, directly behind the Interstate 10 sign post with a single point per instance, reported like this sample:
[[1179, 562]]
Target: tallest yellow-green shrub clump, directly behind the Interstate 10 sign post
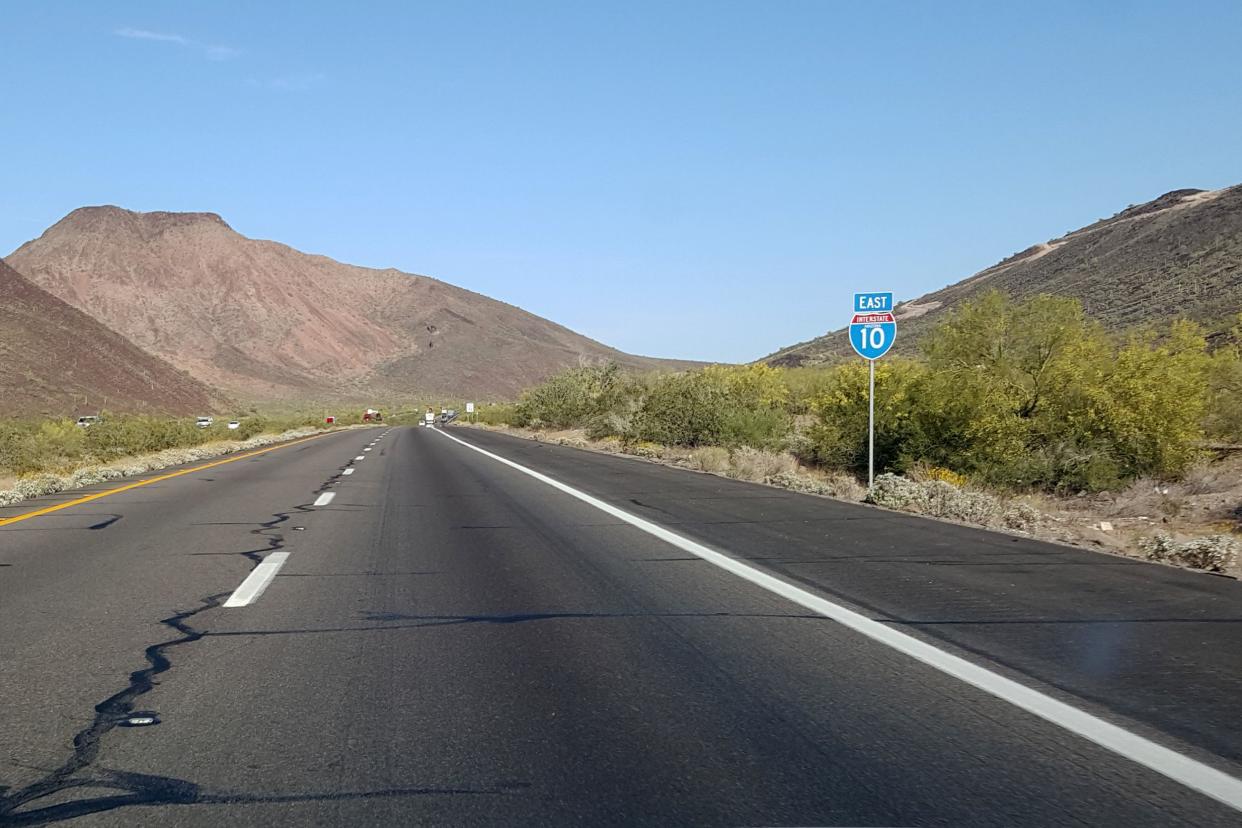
[[1028, 395]]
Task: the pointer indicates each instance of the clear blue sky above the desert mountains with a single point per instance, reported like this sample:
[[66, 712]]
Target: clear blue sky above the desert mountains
[[687, 179]]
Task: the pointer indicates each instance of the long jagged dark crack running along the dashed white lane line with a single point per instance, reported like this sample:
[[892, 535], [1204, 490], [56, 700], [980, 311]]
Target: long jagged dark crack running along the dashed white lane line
[[138, 789]]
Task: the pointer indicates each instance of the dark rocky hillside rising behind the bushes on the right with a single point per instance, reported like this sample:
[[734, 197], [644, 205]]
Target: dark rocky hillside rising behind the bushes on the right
[[1177, 256]]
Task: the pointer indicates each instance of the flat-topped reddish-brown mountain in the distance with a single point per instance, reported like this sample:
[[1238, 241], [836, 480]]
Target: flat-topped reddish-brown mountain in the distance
[[268, 322]]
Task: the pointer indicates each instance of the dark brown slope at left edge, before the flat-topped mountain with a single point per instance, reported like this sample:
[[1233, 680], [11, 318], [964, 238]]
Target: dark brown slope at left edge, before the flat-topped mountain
[[58, 361]]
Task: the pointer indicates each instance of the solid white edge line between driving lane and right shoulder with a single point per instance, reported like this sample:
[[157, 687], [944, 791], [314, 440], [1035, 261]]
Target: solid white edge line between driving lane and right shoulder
[[1163, 760]]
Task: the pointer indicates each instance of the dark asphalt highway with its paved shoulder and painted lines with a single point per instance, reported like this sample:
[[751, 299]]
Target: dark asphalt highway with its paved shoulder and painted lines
[[414, 626]]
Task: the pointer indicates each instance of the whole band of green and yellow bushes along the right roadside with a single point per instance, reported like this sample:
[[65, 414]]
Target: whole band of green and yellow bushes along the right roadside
[[1007, 405]]
